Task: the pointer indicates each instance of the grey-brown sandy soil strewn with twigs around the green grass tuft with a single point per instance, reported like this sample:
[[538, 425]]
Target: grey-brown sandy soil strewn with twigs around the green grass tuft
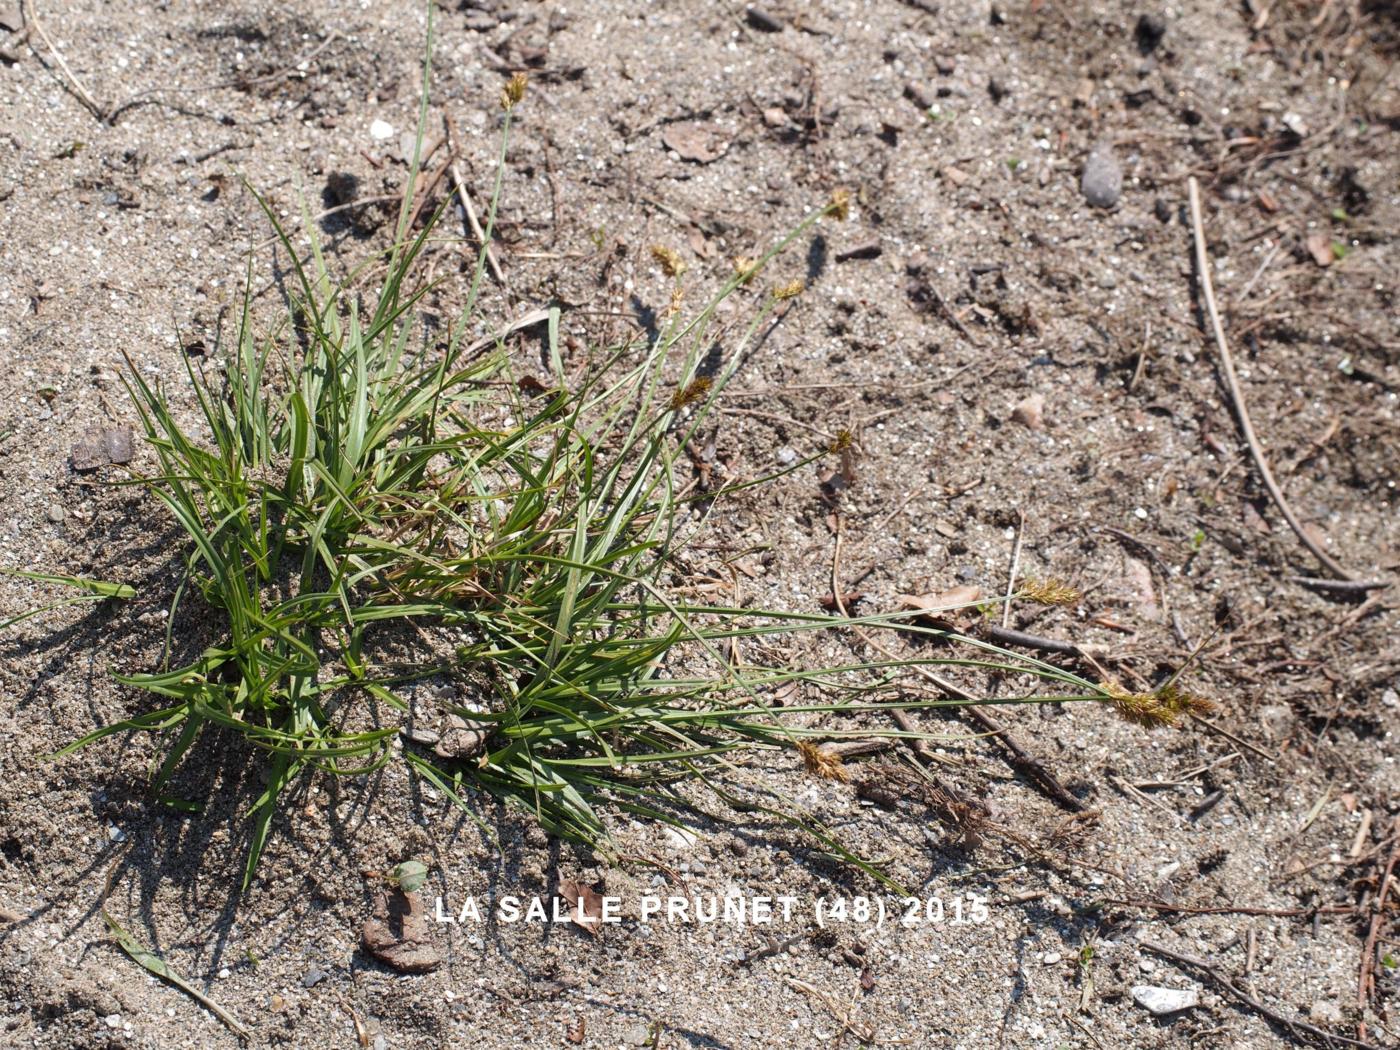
[[964, 131]]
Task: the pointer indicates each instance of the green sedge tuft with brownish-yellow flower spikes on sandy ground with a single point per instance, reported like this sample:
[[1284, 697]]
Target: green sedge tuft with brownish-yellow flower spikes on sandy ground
[[363, 512]]
